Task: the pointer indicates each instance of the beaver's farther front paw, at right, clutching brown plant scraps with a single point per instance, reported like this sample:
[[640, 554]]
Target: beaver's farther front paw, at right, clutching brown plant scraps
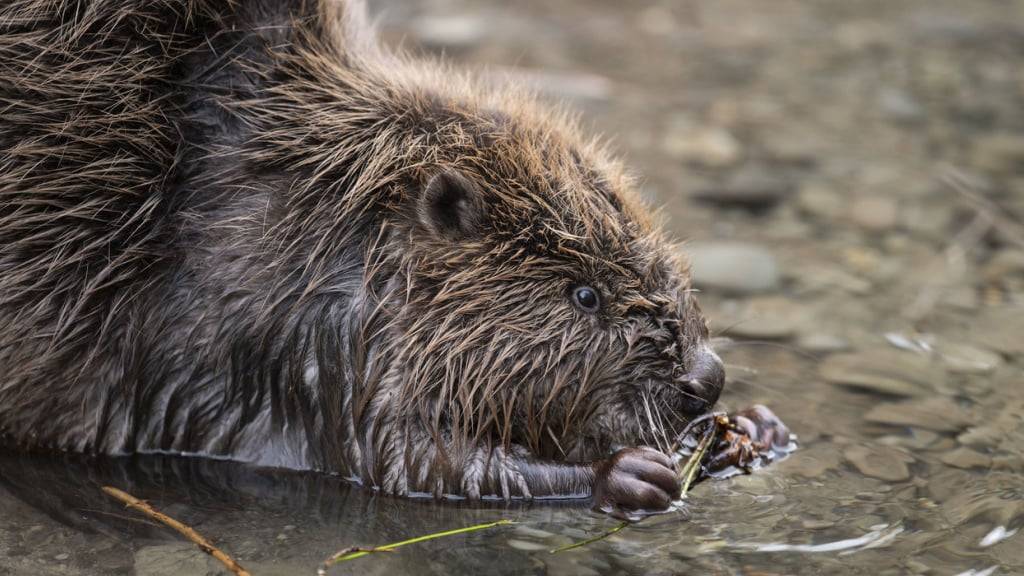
[[755, 437]]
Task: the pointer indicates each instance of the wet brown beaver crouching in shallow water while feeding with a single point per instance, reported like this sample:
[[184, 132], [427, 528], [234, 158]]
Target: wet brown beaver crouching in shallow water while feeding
[[246, 230]]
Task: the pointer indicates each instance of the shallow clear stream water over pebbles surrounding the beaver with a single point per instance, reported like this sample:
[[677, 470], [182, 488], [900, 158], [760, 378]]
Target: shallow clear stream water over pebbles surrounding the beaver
[[861, 162]]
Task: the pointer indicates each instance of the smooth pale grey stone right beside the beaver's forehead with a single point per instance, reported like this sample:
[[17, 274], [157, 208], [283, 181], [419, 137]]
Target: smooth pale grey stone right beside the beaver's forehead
[[734, 267]]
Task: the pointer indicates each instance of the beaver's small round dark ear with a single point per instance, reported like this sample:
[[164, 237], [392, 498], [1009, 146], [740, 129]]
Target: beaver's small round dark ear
[[451, 205]]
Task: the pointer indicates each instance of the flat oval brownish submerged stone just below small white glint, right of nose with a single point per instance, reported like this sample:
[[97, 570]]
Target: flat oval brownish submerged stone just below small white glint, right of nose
[[883, 371]]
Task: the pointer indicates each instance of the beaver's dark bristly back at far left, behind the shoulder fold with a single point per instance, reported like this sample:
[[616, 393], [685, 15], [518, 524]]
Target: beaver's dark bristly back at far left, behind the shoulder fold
[[101, 135]]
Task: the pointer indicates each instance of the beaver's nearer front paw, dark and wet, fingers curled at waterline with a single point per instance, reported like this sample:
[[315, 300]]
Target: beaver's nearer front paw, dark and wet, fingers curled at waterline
[[635, 479]]
